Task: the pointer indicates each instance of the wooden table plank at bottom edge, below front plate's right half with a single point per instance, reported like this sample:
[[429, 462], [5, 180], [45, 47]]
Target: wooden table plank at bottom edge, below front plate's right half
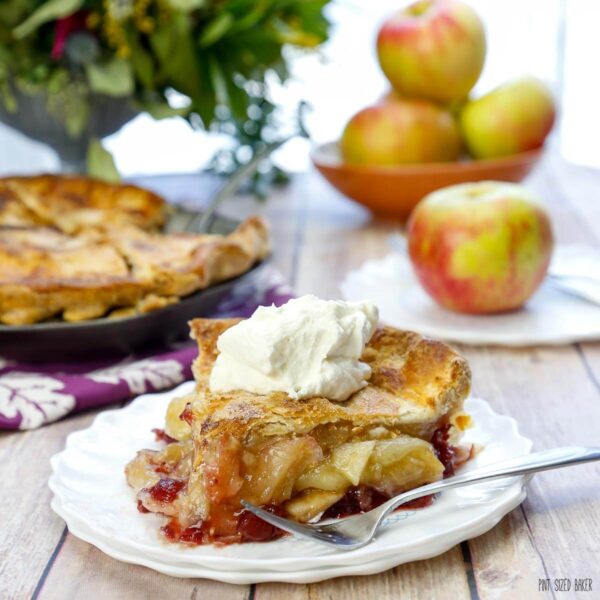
[[440, 577]]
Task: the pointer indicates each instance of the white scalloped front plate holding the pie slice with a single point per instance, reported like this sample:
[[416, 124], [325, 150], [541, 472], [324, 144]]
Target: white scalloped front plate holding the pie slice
[[92, 496]]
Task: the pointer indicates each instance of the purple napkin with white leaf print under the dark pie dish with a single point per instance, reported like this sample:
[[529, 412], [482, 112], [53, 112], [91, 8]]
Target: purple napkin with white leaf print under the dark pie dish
[[34, 395]]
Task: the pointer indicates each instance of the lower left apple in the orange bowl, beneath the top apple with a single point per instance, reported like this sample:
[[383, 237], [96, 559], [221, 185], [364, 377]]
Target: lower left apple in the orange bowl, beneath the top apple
[[397, 131]]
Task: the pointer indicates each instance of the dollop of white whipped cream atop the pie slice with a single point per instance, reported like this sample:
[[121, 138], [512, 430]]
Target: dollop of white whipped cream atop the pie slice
[[305, 348]]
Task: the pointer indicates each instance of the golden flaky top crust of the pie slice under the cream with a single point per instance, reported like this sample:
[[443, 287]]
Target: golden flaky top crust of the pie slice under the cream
[[416, 384]]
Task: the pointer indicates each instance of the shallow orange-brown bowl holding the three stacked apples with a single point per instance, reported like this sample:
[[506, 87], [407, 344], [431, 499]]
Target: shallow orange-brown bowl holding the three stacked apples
[[395, 191]]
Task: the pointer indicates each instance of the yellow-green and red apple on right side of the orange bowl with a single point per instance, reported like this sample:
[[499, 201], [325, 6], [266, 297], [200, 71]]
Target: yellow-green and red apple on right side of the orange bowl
[[513, 118]]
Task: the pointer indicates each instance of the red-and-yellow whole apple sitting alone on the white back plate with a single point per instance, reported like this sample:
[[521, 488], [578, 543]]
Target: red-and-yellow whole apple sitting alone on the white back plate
[[480, 247]]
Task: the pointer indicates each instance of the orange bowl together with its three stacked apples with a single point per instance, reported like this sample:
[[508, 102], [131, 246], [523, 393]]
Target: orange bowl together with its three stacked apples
[[427, 133]]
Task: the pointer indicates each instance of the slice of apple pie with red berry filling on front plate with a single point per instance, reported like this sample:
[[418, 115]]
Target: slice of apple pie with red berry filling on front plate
[[303, 458]]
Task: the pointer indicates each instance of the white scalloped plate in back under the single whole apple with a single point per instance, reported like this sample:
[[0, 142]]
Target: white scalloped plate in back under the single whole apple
[[550, 317]]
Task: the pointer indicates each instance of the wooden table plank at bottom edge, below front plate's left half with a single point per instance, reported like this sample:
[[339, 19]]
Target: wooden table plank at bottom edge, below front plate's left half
[[82, 571]]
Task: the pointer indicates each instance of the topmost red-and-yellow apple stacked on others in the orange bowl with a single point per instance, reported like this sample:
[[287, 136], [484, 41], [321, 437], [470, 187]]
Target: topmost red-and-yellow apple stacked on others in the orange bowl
[[433, 49]]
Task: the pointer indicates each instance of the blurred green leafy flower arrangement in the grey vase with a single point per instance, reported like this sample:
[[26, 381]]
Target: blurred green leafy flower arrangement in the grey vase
[[214, 56]]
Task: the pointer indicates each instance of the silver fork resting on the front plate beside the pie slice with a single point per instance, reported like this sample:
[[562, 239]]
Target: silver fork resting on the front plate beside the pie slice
[[354, 532]]
